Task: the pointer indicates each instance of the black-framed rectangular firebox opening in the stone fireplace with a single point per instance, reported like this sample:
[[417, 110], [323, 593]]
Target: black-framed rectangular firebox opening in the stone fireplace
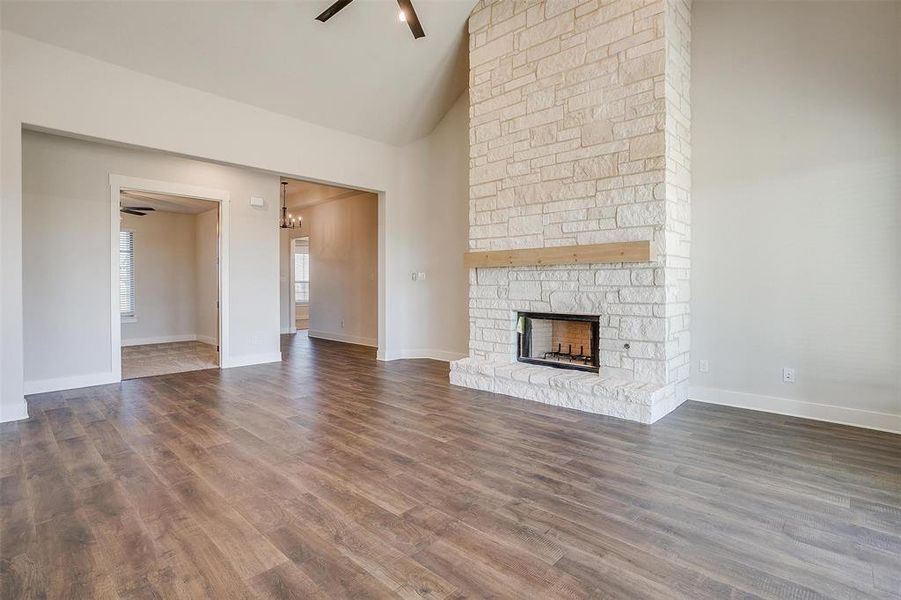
[[560, 341]]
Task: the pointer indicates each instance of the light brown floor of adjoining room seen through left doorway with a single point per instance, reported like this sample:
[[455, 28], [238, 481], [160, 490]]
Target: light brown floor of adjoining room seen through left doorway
[[161, 359]]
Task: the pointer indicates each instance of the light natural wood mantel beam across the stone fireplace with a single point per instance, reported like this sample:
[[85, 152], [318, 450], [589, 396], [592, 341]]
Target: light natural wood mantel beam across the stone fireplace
[[615, 252]]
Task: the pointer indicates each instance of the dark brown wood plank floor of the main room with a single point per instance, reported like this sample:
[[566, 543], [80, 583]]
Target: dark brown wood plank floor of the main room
[[332, 475]]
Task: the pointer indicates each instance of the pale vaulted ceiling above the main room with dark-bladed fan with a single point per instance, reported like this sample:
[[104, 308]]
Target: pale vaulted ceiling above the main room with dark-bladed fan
[[361, 72]]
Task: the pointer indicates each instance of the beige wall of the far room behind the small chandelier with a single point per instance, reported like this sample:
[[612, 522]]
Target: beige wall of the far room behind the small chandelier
[[343, 269]]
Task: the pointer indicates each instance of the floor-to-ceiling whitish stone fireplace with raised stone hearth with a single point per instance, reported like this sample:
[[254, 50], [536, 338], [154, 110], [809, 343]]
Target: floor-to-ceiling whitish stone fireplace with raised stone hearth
[[579, 138]]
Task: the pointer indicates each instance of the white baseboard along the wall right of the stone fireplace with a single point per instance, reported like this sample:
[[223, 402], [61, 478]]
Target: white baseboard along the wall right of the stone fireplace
[[799, 408]]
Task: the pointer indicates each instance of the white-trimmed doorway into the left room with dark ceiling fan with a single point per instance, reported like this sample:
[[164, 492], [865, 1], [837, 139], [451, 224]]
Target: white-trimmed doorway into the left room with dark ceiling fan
[[170, 278]]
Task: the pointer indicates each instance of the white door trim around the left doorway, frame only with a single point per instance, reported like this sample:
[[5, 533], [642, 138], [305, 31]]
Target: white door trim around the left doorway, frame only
[[122, 182]]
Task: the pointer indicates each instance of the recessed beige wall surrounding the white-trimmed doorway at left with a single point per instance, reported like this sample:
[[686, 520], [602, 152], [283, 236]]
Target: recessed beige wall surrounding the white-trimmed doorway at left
[[69, 340]]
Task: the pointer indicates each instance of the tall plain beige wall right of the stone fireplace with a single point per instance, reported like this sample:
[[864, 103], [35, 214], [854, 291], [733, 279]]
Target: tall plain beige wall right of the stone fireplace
[[796, 207]]
